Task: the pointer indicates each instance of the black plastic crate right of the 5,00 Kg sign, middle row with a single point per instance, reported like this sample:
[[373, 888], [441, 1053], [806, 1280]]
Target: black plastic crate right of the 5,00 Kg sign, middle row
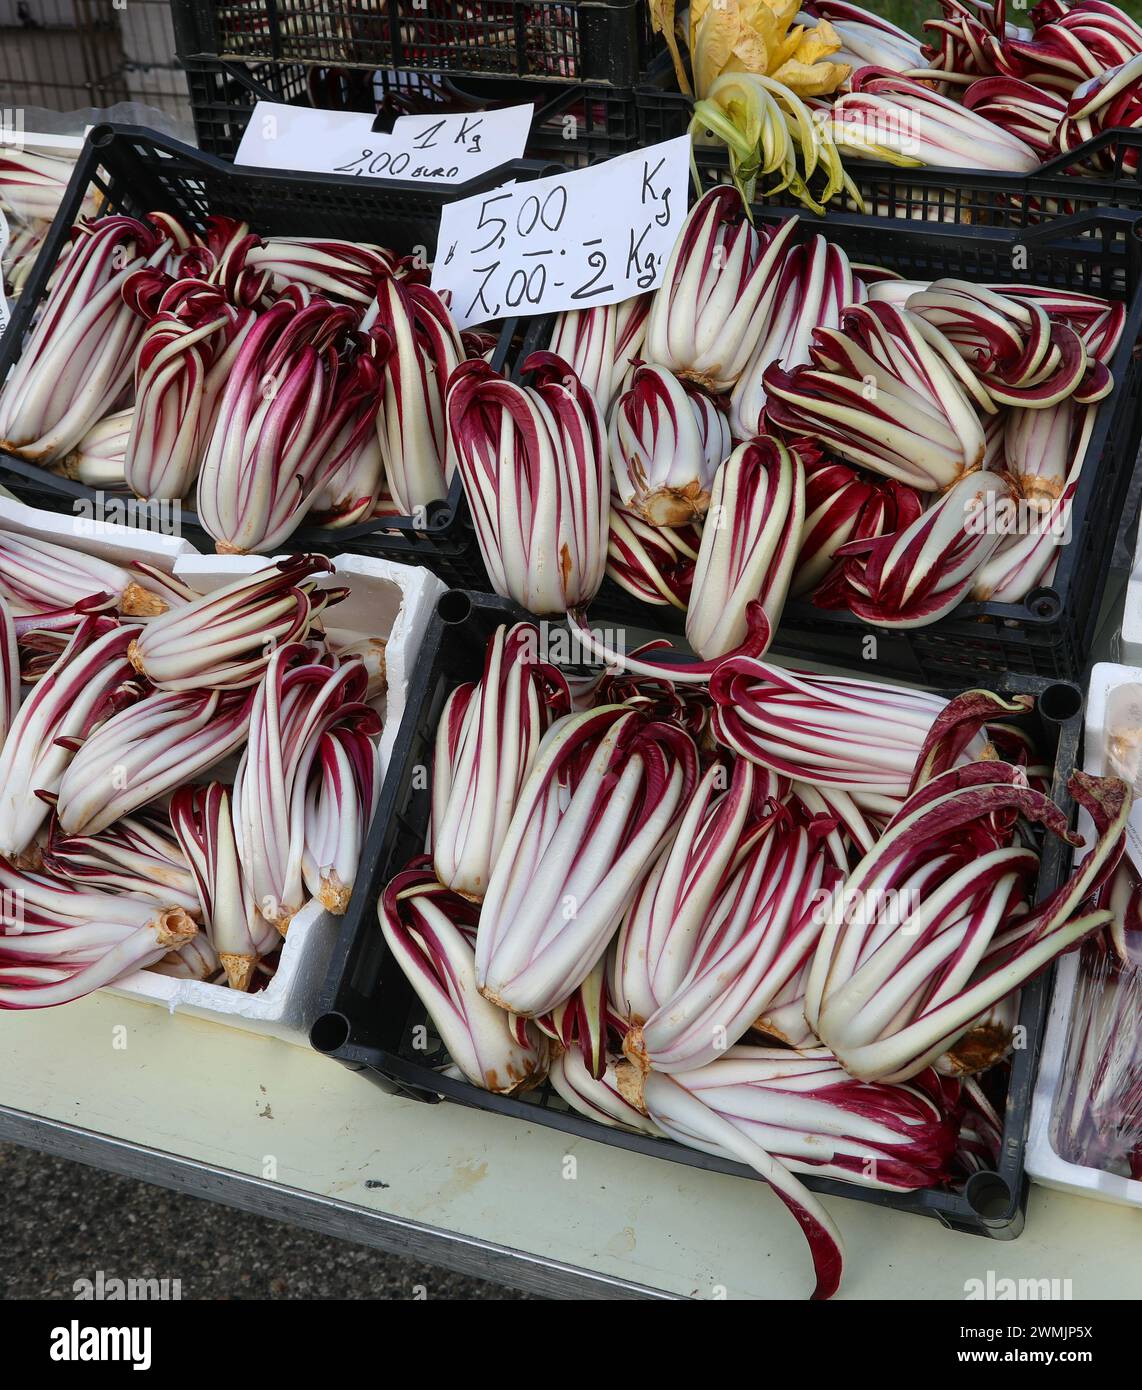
[[1051, 632]]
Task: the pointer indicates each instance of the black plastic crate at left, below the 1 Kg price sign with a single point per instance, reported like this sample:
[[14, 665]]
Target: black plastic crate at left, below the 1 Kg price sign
[[138, 172]]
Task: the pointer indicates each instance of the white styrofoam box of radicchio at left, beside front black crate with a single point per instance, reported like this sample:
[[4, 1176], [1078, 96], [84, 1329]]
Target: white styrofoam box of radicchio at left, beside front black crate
[[391, 601]]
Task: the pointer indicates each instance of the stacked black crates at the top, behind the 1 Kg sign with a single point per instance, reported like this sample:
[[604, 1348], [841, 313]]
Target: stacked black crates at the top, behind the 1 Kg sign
[[580, 63]]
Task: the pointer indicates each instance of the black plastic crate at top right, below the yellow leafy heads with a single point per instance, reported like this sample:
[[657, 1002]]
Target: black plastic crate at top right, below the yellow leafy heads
[[982, 198]]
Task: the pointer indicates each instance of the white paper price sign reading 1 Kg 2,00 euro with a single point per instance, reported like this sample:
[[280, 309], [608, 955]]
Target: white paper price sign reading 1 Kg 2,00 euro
[[434, 149]]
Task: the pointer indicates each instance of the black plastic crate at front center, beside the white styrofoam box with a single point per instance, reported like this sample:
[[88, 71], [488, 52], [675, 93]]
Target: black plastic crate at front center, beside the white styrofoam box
[[367, 1013]]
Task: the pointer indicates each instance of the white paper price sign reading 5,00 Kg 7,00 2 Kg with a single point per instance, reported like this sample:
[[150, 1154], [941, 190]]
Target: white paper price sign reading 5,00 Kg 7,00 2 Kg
[[590, 237]]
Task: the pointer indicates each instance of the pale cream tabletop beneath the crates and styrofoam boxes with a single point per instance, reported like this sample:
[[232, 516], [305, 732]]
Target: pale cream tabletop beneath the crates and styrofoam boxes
[[210, 1110]]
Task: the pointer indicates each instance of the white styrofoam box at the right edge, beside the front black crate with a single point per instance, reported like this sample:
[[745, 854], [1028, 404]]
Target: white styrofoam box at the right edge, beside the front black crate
[[1044, 1163]]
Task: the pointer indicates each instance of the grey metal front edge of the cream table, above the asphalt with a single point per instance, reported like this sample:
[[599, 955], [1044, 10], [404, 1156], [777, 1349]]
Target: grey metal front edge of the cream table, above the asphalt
[[345, 1221]]
